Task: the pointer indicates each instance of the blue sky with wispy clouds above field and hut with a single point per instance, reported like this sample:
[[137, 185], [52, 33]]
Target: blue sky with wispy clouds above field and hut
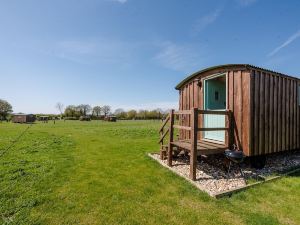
[[130, 54]]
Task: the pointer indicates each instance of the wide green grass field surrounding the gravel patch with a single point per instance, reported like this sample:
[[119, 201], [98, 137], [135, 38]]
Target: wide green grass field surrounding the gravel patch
[[98, 173]]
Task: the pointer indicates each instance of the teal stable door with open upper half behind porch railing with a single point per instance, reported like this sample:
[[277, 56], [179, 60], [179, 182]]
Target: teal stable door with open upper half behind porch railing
[[215, 99]]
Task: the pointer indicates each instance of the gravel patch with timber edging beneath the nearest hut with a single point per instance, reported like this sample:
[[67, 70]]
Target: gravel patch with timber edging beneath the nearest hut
[[212, 176]]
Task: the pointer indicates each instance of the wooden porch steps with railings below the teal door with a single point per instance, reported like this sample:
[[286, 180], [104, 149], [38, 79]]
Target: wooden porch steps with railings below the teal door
[[193, 146]]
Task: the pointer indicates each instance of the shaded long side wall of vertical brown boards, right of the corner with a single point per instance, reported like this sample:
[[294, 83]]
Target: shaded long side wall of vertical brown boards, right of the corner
[[274, 113]]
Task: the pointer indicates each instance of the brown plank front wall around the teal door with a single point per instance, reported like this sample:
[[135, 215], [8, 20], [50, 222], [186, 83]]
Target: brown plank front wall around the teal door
[[238, 101]]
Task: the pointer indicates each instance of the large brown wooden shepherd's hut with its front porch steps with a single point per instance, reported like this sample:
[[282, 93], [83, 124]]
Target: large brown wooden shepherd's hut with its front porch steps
[[255, 109]]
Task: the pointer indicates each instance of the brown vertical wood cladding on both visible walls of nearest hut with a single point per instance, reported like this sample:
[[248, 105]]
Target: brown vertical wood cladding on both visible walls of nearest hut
[[266, 117]]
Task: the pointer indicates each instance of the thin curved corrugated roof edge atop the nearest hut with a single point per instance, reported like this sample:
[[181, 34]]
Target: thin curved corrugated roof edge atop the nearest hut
[[247, 66]]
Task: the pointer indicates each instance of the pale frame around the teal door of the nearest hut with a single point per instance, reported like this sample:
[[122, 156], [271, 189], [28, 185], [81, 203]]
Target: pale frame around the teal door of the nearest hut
[[213, 76]]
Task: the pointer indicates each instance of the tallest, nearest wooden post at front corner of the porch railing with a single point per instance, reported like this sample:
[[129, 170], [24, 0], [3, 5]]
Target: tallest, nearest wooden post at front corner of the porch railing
[[193, 152]]
